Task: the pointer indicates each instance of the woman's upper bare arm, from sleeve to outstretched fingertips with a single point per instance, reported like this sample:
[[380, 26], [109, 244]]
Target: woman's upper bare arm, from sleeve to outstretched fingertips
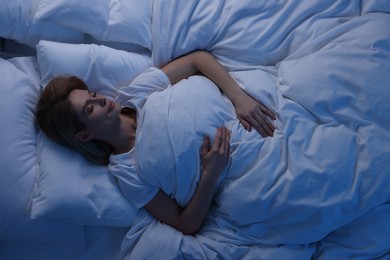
[[249, 111]]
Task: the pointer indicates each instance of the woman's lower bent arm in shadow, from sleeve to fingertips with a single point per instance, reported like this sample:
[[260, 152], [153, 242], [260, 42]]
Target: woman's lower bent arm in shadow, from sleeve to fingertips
[[189, 219]]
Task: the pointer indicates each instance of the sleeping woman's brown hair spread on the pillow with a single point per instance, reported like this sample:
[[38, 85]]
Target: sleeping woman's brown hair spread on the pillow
[[59, 121]]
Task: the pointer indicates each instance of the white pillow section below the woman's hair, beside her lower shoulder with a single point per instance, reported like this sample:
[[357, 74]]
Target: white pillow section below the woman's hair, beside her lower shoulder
[[69, 187]]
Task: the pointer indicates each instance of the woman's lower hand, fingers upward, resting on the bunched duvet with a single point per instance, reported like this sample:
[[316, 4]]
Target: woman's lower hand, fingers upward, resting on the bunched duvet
[[215, 157]]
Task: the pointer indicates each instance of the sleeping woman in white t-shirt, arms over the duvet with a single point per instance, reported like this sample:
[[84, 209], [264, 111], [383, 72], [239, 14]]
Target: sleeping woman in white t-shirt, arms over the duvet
[[104, 131]]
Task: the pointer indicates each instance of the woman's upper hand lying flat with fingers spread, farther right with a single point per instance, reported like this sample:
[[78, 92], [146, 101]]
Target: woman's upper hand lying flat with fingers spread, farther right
[[252, 113]]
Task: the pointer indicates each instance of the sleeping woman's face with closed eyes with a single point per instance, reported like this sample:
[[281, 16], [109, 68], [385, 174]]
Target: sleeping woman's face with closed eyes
[[98, 113]]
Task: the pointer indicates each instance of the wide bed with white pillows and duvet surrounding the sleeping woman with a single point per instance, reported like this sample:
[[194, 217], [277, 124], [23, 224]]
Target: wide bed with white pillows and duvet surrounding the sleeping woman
[[317, 189]]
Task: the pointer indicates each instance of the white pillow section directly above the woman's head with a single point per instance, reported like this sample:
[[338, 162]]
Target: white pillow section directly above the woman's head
[[103, 69]]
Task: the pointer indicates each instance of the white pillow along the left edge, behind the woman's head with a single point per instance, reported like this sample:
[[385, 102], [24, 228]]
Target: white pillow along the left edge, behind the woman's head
[[19, 90]]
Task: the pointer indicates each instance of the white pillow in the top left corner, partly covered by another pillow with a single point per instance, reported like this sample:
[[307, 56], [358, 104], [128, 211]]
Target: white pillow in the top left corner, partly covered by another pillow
[[17, 23]]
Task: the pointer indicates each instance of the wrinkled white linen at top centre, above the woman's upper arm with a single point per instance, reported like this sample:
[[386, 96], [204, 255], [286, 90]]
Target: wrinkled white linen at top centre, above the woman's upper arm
[[260, 32]]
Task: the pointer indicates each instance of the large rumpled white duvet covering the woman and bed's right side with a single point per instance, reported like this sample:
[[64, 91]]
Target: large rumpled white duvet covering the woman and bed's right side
[[327, 168]]
